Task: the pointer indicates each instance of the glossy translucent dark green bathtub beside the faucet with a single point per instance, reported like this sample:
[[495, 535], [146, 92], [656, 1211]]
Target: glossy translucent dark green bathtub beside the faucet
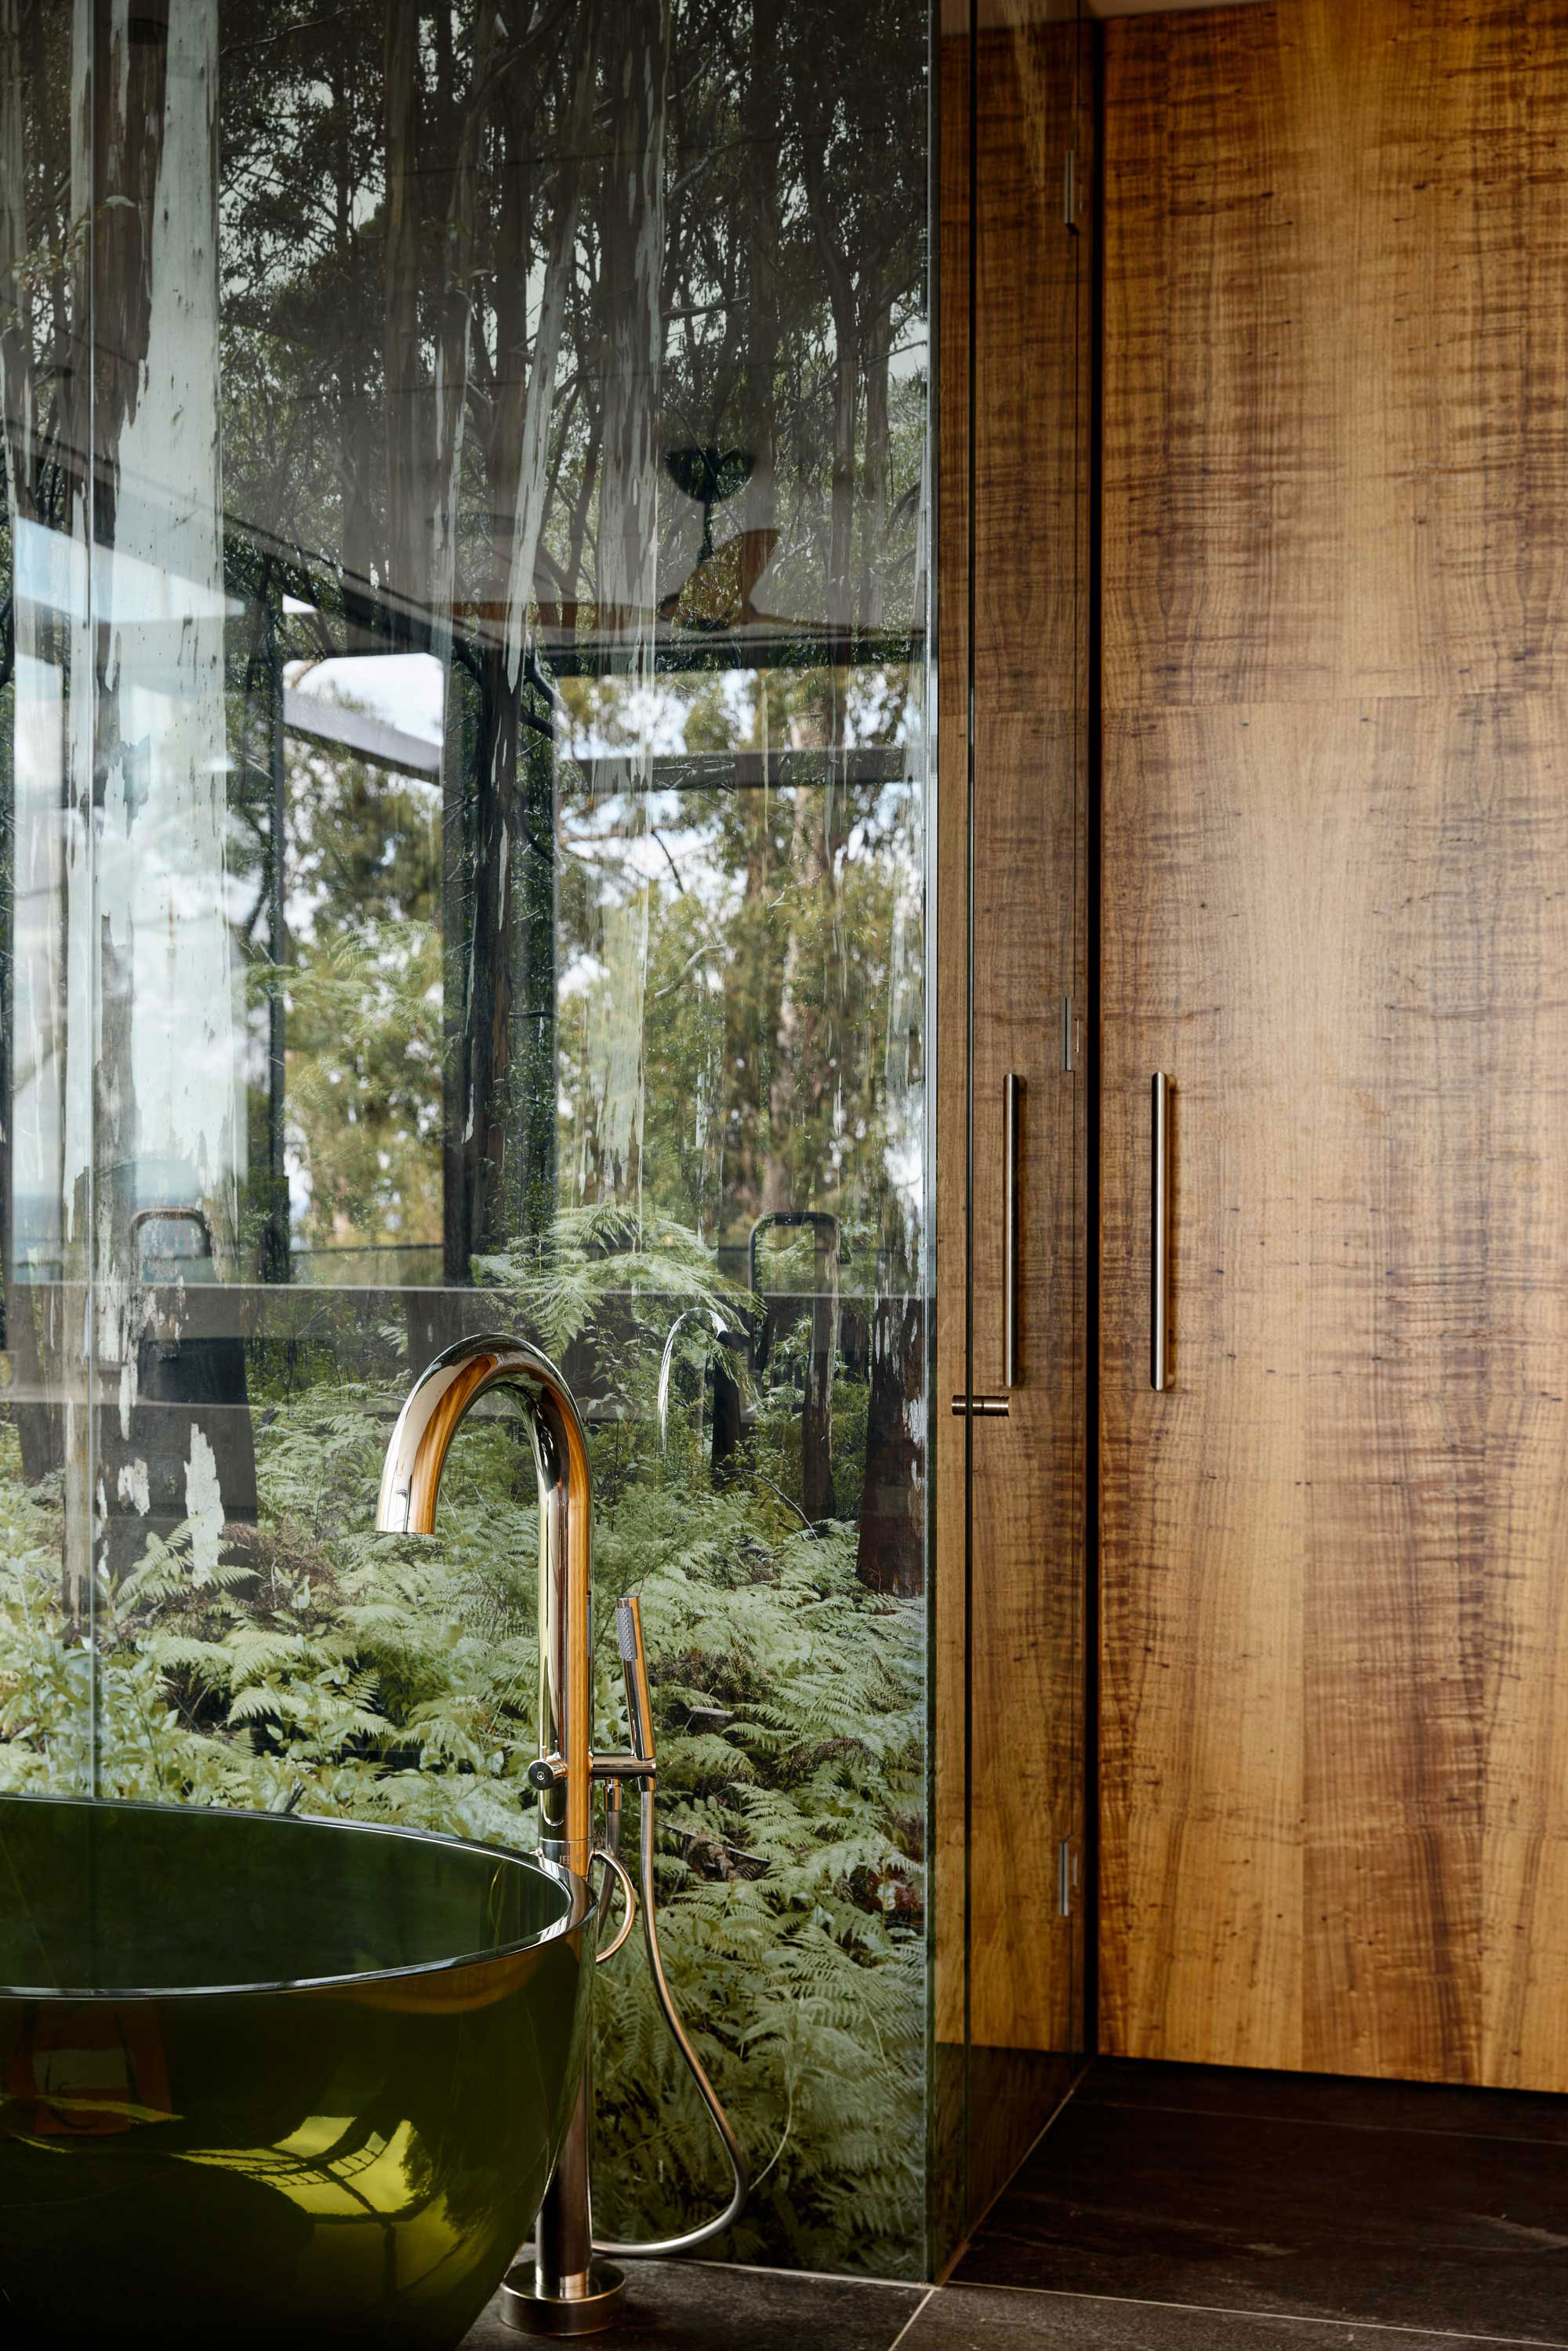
[[274, 2082]]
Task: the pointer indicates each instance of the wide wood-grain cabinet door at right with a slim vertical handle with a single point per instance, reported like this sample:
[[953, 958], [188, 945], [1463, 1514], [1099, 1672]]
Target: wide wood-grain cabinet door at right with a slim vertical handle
[[1334, 1623]]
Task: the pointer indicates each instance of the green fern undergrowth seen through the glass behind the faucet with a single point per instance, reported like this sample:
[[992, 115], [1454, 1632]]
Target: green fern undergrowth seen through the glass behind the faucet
[[396, 1680]]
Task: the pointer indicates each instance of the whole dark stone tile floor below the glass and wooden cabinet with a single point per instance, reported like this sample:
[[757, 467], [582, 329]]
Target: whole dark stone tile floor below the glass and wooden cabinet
[[1191, 2209]]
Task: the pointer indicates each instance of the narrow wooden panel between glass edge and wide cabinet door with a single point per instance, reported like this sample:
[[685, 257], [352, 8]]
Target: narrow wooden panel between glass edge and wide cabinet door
[[1026, 1628]]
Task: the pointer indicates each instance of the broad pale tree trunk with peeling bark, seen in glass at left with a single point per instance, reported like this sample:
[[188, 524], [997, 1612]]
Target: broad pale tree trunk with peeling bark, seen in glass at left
[[170, 1071]]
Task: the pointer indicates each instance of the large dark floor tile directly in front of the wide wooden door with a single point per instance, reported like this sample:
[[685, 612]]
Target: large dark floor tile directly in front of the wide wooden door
[[1275, 2195]]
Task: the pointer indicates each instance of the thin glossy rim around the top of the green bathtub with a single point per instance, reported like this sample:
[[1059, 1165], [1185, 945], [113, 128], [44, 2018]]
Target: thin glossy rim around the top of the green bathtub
[[579, 1908]]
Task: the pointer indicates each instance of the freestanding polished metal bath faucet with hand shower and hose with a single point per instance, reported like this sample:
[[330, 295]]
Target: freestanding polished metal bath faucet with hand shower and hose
[[565, 2291]]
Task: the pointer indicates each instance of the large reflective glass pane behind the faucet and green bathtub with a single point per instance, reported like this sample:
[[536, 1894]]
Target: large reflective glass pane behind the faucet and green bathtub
[[509, 782]]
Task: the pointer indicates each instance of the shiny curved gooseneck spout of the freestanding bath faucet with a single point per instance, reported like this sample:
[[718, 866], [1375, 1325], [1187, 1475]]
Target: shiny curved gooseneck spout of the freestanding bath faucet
[[410, 1485]]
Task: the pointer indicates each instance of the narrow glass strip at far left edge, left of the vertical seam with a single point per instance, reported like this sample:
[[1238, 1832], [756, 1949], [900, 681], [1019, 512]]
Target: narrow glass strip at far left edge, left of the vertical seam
[[46, 876]]
